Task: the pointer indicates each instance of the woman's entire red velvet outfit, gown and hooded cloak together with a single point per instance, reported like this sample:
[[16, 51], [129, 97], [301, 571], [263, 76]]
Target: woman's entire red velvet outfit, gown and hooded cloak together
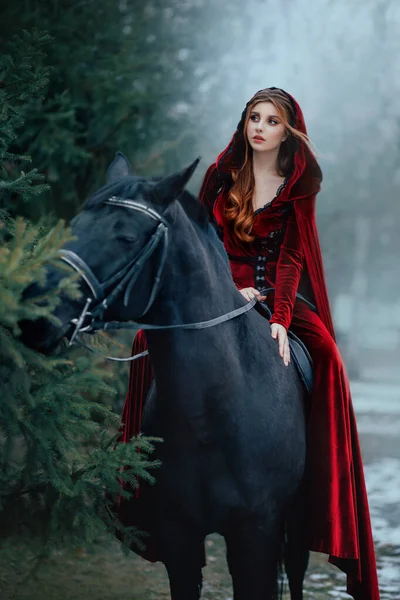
[[286, 255]]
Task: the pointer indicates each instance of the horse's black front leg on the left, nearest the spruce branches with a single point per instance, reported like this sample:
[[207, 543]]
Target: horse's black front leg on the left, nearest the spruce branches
[[181, 551]]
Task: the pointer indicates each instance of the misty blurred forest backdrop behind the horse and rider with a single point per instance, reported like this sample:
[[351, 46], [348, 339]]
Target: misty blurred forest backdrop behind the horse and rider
[[167, 81]]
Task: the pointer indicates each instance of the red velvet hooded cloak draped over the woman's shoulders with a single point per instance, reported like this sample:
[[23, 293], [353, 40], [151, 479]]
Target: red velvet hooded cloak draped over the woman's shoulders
[[339, 519]]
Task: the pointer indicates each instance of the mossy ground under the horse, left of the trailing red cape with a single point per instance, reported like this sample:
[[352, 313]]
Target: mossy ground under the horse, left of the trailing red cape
[[105, 573]]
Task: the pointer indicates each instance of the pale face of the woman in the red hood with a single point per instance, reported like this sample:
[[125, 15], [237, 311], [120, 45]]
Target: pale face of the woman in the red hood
[[265, 130]]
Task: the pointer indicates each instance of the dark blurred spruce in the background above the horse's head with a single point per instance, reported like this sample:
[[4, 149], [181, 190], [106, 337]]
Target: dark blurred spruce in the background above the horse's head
[[115, 87]]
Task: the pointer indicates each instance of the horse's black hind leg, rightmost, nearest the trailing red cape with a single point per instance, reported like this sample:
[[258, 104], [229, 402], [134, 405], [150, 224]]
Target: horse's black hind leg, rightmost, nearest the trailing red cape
[[296, 553]]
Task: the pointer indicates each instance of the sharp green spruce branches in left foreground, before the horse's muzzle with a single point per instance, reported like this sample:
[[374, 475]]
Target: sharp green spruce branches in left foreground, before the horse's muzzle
[[60, 465]]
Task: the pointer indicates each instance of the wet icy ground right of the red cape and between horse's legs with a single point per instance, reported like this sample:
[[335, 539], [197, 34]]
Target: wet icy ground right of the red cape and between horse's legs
[[377, 407]]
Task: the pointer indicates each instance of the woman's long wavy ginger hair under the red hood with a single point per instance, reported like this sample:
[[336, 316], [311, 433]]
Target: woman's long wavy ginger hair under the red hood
[[239, 206]]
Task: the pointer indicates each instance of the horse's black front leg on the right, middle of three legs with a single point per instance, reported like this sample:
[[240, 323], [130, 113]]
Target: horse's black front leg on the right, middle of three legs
[[253, 552]]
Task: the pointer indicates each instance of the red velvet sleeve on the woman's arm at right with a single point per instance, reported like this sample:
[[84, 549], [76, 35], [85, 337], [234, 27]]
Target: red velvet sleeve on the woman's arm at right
[[288, 272]]
